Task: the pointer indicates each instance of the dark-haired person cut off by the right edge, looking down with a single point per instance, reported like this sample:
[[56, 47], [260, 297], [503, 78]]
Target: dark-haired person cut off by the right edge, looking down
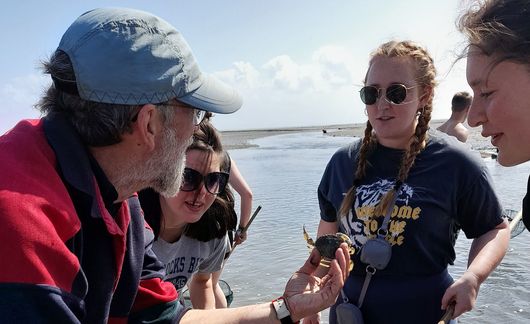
[[498, 71]]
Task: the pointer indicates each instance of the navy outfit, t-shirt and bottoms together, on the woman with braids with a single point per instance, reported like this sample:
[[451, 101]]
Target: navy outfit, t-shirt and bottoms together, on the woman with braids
[[447, 189]]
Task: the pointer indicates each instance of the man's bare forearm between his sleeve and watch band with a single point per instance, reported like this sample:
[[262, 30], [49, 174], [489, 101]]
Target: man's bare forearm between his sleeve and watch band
[[261, 313]]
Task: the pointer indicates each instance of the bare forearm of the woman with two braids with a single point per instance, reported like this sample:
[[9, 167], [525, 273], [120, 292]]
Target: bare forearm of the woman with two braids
[[487, 251]]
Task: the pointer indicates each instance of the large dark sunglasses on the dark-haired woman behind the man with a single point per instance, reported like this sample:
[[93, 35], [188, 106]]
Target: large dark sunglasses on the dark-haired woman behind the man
[[214, 182]]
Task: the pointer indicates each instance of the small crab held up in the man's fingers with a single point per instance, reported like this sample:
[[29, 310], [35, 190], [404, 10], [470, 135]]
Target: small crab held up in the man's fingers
[[327, 245]]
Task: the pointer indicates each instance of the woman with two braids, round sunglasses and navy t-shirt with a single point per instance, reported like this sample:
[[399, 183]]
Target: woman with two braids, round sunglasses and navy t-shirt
[[432, 187]]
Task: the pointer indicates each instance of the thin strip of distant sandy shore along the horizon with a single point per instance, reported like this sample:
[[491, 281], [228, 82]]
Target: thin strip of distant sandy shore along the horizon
[[234, 140]]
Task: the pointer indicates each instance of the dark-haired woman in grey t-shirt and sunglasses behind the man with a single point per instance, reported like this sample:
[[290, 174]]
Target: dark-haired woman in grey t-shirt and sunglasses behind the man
[[191, 227]]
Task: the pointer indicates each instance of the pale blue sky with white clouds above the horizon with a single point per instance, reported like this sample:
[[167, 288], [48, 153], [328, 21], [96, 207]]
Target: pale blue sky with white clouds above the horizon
[[296, 63]]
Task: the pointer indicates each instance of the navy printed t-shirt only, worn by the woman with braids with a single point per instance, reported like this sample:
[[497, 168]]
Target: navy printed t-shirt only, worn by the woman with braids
[[447, 189]]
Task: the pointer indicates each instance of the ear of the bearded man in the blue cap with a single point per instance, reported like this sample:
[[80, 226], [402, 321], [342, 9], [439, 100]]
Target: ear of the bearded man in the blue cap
[[147, 126]]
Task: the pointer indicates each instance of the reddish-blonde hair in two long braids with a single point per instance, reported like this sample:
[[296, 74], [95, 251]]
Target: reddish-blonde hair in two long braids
[[425, 74]]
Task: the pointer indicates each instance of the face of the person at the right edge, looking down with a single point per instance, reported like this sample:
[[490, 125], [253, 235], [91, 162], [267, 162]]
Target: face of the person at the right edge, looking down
[[501, 105]]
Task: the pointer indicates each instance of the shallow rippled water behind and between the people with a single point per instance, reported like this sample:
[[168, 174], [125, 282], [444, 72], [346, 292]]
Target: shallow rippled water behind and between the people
[[284, 172]]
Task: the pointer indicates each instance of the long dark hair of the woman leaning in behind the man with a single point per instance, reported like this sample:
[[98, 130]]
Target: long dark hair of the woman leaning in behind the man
[[216, 221]]
